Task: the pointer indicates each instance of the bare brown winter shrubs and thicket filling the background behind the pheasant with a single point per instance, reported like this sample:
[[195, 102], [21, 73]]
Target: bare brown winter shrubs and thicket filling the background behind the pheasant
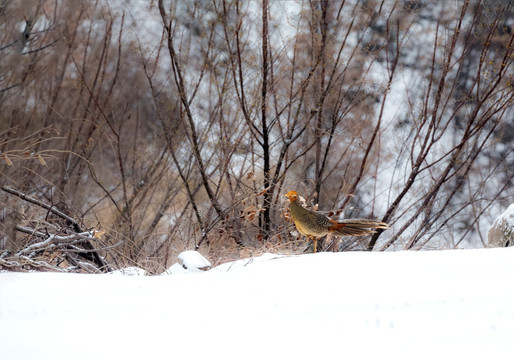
[[131, 131]]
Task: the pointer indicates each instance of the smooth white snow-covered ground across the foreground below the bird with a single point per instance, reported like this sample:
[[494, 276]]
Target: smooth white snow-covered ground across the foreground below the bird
[[404, 305]]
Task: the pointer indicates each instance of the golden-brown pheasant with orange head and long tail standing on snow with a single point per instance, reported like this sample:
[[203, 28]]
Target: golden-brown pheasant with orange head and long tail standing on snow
[[315, 225]]
